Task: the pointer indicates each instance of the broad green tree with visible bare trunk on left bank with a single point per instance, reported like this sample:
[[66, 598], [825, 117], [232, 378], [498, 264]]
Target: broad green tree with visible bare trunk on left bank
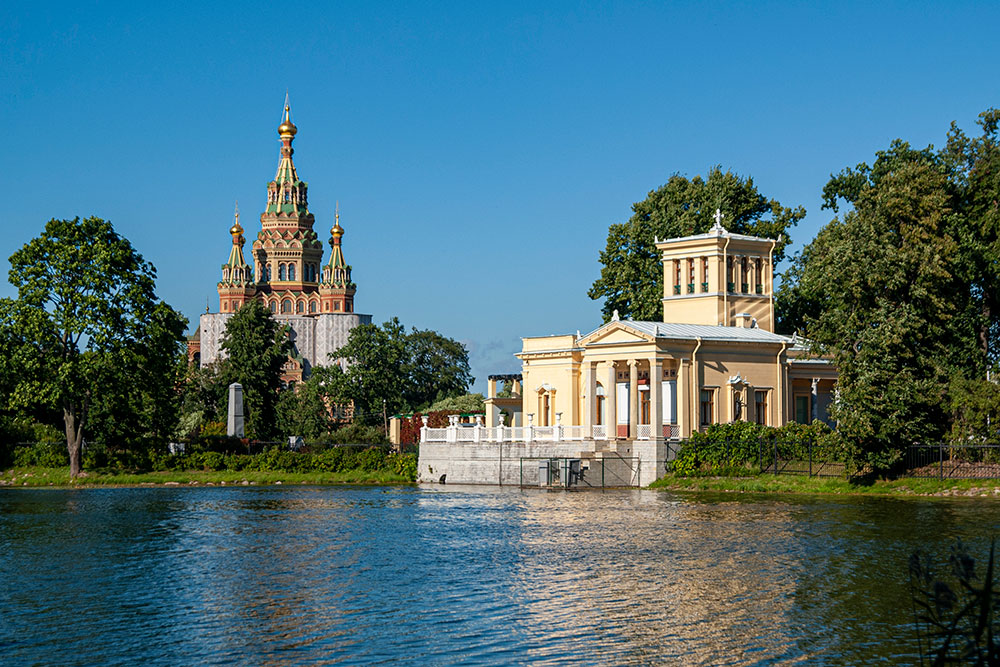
[[84, 298]]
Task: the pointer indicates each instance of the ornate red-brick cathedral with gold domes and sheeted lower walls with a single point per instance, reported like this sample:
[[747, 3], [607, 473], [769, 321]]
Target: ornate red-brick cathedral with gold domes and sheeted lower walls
[[315, 300]]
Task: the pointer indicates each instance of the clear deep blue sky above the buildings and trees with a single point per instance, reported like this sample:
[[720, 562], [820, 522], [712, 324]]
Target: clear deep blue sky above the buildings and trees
[[479, 153]]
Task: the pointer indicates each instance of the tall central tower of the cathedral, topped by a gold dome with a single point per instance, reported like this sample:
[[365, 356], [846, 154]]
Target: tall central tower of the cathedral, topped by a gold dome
[[287, 252]]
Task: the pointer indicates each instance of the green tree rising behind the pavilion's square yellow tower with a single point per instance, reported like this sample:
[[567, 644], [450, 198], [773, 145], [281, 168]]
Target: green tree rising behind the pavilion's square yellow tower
[[631, 279]]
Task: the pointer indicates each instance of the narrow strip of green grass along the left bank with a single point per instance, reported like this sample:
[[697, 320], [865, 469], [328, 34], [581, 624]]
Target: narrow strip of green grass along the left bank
[[59, 477]]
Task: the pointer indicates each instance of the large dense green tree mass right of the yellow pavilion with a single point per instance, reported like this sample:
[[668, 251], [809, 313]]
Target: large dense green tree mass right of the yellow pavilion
[[901, 289]]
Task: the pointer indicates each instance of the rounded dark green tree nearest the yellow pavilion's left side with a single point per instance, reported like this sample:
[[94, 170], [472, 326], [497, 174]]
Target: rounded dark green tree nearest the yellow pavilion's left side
[[436, 367]]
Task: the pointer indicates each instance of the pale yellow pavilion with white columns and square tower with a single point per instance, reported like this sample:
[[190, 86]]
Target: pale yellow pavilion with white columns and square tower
[[714, 359]]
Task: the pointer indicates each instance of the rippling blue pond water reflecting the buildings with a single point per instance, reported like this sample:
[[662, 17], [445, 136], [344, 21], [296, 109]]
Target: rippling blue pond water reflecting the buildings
[[463, 576]]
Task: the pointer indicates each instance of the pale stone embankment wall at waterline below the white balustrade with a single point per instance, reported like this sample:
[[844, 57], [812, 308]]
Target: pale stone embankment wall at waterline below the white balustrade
[[636, 463]]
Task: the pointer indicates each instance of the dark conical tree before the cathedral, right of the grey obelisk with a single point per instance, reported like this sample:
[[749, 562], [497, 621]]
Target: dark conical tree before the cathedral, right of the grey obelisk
[[256, 347]]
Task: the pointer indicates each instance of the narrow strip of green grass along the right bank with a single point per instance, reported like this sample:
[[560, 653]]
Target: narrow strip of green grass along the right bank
[[830, 485]]
